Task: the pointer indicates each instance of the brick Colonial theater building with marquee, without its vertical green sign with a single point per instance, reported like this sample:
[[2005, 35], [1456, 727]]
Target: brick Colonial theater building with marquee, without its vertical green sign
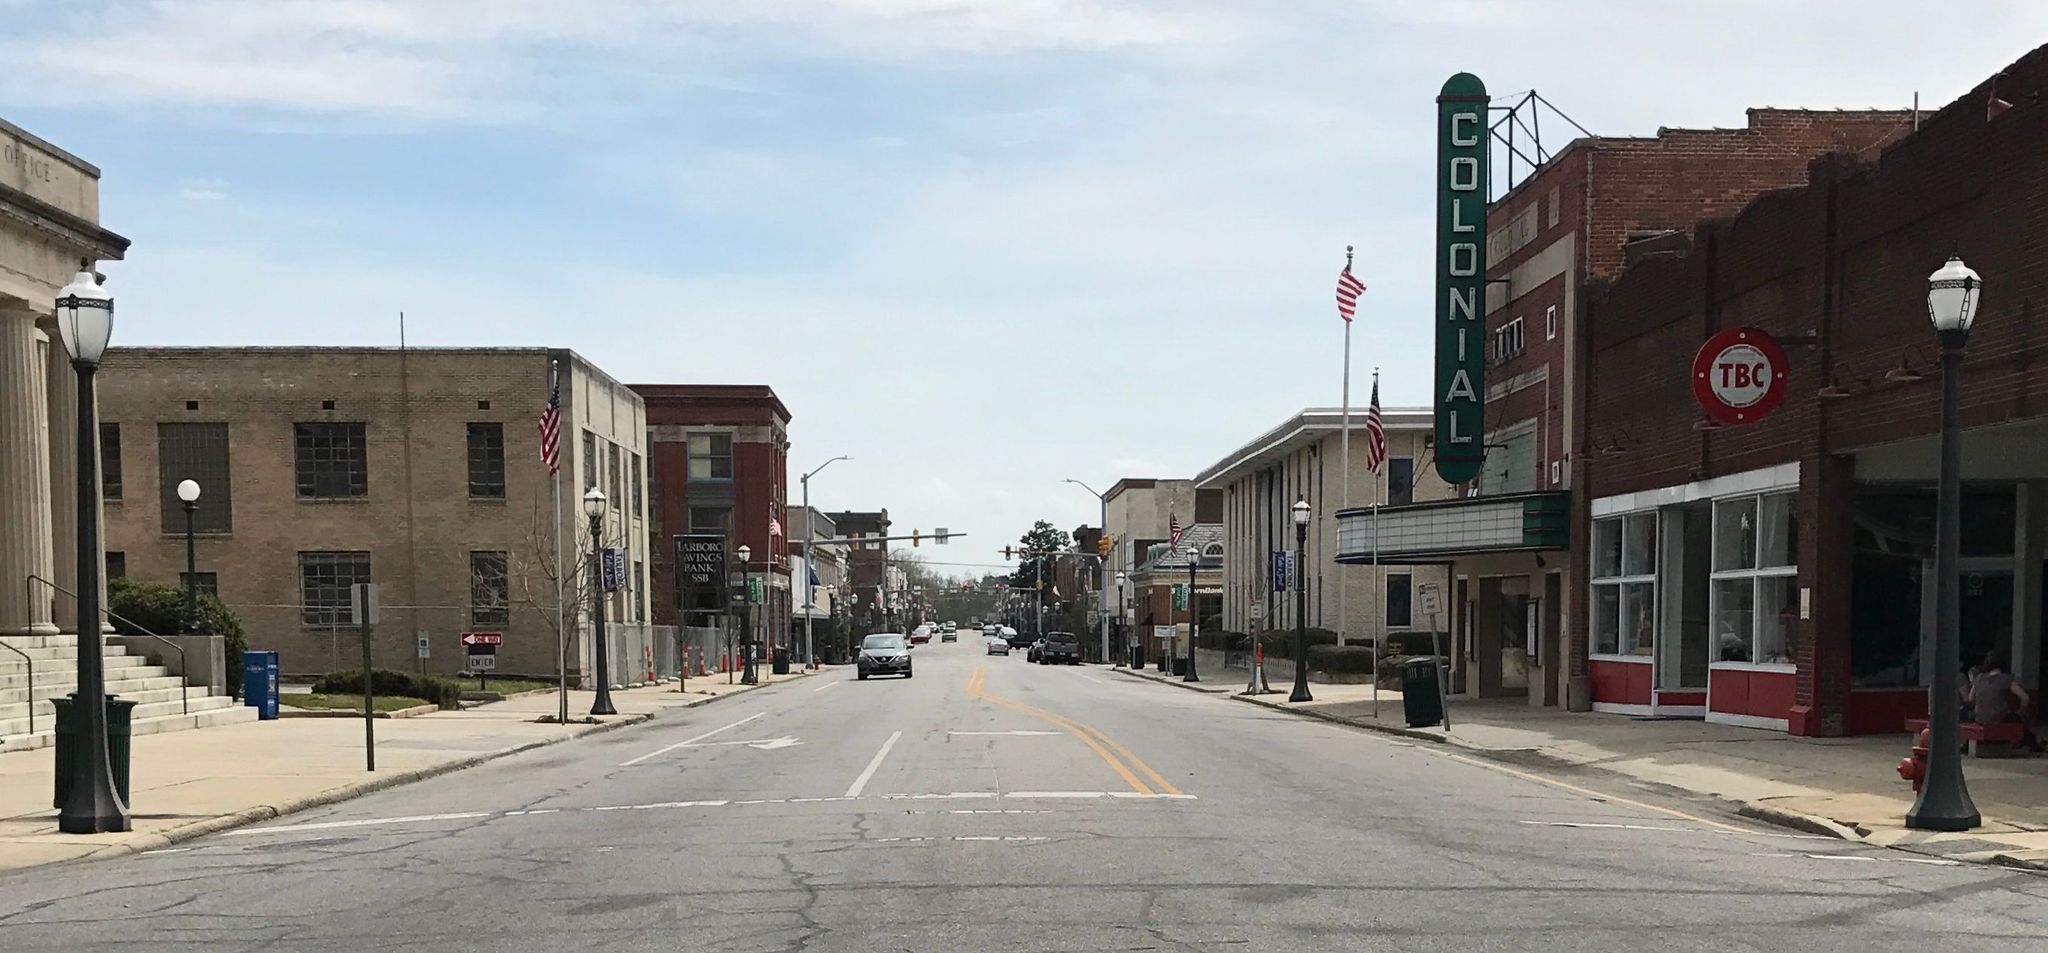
[[1506, 538]]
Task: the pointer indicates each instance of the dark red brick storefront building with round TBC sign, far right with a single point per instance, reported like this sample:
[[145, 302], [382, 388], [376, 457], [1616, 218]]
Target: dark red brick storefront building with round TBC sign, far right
[[1779, 573]]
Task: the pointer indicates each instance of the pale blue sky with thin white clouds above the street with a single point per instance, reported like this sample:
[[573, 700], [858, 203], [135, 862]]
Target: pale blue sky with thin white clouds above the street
[[978, 245]]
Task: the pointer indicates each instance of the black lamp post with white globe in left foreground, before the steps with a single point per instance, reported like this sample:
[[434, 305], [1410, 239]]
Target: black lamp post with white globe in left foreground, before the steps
[[93, 804]]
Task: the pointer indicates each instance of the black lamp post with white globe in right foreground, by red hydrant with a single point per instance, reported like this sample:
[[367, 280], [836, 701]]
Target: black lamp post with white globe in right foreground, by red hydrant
[[1945, 800]]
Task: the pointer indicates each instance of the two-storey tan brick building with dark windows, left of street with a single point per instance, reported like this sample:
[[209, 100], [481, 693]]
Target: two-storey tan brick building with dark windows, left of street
[[419, 470]]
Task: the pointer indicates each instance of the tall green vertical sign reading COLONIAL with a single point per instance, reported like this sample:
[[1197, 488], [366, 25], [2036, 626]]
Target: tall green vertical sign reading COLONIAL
[[1461, 278]]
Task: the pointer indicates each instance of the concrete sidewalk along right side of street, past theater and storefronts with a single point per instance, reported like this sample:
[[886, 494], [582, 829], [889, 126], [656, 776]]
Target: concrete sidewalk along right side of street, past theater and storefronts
[[1840, 786]]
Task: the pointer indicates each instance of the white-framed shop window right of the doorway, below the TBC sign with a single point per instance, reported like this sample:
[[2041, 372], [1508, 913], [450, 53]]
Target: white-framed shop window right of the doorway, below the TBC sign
[[1756, 579]]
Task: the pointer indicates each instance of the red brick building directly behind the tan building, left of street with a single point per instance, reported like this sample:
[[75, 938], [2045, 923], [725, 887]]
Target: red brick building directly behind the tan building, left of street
[[720, 462]]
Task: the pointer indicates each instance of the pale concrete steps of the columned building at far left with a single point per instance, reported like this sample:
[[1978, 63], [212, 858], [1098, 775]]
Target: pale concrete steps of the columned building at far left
[[163, 702]]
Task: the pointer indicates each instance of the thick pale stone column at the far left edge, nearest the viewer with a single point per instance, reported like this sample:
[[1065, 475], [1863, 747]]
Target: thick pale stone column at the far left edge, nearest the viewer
[[24, 479]]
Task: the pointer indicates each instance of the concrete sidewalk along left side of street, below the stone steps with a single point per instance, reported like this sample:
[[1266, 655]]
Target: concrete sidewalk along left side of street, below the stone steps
[[189, 784]]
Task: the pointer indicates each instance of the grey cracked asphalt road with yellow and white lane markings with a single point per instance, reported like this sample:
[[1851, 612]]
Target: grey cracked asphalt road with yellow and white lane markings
[[998, 806]]
